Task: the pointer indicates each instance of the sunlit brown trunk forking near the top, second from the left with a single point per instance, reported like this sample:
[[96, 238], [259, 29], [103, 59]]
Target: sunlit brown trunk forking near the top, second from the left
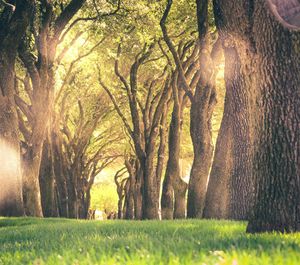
[[41, 72]]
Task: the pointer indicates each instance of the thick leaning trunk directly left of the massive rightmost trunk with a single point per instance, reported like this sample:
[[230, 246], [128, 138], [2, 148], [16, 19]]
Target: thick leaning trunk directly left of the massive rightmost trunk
[[230, 188]]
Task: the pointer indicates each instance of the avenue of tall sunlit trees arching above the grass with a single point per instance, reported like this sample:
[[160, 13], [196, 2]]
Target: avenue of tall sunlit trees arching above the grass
[[138, 86]]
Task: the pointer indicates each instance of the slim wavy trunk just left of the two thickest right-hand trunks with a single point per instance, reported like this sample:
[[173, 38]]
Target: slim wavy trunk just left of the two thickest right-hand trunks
[[202, 107]]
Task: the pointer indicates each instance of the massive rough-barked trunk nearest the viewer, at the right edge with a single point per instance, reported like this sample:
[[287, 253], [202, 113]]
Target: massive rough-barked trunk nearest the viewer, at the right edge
[[277, 146]]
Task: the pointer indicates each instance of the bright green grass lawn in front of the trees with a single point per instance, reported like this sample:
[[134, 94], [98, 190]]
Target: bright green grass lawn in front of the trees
[[61, 241]]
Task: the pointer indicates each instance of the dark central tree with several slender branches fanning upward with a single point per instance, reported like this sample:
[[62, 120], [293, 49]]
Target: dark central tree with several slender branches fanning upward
[[145, 118]]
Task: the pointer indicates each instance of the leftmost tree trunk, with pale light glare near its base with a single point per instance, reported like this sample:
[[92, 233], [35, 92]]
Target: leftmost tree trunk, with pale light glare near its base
[[14, 20]]
